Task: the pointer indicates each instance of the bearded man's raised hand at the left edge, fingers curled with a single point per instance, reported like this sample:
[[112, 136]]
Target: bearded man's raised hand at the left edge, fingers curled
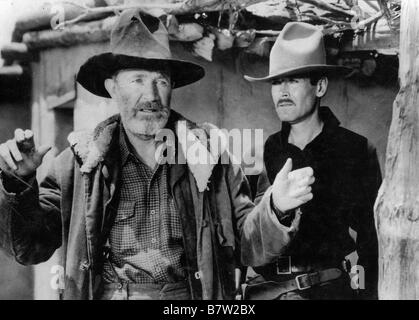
[[19, 156]]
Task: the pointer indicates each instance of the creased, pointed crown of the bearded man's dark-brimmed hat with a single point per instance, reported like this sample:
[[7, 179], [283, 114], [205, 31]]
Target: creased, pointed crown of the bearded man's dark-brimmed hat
[[140, 35]]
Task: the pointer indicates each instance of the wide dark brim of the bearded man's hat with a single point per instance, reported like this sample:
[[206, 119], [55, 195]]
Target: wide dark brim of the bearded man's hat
[[97, 69]]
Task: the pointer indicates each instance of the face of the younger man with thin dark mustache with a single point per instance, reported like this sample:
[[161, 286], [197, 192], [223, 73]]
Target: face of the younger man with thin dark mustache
[[295, 98]]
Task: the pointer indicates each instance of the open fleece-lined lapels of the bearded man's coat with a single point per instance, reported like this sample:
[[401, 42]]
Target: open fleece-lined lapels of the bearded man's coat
[[98, 156]]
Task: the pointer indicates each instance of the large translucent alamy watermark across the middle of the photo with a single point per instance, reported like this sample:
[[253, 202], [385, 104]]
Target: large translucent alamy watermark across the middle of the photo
[[198, 146]]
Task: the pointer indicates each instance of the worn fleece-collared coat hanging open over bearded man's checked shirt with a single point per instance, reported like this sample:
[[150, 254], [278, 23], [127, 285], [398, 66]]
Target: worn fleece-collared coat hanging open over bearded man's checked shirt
[[72, 209]]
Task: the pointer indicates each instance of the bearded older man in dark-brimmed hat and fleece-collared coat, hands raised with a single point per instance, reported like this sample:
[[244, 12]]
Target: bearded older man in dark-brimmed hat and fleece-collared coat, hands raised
[[133, 226]]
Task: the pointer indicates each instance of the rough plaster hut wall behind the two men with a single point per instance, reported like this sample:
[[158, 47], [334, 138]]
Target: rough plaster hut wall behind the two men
[[223, 97]]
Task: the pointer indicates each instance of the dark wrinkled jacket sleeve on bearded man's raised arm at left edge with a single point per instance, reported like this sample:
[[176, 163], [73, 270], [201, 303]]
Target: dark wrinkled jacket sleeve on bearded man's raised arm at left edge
[[30, 218]]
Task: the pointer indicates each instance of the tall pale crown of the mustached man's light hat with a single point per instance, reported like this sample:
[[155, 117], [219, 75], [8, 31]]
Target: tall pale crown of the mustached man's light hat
[[299, 45]]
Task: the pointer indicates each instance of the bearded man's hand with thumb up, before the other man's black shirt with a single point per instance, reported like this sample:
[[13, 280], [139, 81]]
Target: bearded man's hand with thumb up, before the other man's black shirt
[[291, 189]]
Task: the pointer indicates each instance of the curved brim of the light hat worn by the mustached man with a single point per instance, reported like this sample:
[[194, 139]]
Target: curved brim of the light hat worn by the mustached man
[[322, 68]]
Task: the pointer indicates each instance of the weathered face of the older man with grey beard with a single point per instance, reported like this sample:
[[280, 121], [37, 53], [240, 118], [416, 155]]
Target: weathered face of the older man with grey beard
[[143, 99]]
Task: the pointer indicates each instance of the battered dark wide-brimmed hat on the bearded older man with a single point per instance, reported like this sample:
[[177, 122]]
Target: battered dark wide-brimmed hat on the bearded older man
[[138, 40]]
